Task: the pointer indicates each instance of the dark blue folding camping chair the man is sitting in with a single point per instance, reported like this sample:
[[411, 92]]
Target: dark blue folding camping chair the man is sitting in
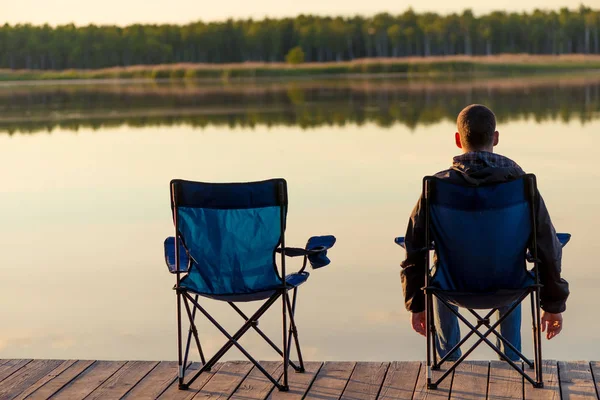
[[481, 236]]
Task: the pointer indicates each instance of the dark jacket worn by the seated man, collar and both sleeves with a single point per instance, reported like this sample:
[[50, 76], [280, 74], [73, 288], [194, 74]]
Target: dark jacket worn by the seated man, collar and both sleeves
[[475, 169]]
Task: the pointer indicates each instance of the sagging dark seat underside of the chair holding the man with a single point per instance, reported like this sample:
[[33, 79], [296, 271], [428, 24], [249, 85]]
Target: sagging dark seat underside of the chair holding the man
[[482, 301]]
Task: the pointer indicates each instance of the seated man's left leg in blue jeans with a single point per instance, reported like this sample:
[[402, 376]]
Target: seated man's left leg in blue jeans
[[447, 330]]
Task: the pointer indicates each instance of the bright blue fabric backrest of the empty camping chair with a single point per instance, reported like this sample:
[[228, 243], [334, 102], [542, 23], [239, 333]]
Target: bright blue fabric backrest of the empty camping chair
[[231, 232]]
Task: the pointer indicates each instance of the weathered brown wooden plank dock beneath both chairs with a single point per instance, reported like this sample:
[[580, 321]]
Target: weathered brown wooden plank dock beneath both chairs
[[78, 379]]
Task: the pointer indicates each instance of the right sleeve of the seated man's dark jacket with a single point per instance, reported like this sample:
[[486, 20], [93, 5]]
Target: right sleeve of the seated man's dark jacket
[[555, 289]]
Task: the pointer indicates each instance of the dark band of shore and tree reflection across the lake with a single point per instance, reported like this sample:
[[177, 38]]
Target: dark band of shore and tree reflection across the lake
[[305, 104]]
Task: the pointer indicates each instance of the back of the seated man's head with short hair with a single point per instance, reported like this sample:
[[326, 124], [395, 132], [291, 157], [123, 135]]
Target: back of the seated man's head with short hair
[[476, 125]]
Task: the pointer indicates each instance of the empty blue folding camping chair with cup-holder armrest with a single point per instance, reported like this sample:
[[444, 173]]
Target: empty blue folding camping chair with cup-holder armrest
[[227, 236]]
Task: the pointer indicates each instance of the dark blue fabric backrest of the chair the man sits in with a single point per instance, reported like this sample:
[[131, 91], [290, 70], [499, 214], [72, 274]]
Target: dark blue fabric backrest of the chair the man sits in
[[481, 234]]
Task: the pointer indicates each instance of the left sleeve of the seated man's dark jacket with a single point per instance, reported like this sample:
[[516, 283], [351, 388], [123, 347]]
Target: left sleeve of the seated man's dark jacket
[[413, 267]]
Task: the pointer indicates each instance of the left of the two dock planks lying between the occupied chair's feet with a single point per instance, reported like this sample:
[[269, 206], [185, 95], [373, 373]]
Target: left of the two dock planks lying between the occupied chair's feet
[[470, 380]]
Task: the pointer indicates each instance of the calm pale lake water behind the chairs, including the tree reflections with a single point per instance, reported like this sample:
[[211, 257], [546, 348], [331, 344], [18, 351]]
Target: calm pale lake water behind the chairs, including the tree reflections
[[85, 204]]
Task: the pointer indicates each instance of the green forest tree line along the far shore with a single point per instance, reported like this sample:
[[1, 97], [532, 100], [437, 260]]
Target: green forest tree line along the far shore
[[320, 39]]
